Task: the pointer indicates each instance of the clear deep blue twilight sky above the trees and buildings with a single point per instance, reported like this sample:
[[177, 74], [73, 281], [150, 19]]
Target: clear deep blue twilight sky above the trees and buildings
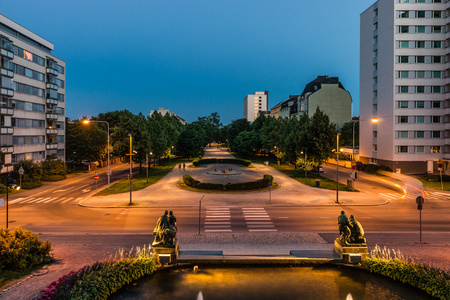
[[194, 57]]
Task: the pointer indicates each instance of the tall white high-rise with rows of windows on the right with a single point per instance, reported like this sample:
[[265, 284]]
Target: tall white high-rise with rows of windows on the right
[[404, 85]]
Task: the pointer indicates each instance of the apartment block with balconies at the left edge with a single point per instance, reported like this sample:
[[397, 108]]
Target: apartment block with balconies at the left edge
[[32, 96]]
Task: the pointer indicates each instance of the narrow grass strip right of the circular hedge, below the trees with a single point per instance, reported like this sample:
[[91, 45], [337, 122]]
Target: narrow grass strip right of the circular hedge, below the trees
[[299, 175]]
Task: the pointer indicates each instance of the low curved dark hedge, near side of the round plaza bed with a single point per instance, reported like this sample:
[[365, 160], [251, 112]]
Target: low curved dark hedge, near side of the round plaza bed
[[240, 186]]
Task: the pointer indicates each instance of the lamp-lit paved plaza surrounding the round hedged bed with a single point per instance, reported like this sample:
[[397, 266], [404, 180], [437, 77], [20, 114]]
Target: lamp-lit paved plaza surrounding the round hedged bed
[[290, 193]]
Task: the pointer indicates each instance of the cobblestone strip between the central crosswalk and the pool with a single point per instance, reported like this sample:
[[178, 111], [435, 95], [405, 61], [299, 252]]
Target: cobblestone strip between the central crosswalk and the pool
[[280, 238]]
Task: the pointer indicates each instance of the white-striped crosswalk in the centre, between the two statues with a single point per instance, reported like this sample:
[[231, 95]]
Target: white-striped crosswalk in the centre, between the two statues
[[218, 219]]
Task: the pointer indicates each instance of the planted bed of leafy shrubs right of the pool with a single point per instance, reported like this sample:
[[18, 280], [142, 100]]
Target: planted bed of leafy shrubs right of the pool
[[433, 281]]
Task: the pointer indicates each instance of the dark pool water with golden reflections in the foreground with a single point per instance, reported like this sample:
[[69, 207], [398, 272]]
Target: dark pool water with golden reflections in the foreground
[[321, 282]]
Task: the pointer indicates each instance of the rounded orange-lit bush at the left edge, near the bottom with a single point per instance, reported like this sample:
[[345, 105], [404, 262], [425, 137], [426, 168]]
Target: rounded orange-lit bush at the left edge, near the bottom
[[21, 249]]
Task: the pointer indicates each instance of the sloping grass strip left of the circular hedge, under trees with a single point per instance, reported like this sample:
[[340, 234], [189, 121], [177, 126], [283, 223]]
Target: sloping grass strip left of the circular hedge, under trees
[[140, 178]]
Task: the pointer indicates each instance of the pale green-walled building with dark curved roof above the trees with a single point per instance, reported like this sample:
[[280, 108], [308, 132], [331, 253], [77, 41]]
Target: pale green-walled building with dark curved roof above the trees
[[329, 95]]
